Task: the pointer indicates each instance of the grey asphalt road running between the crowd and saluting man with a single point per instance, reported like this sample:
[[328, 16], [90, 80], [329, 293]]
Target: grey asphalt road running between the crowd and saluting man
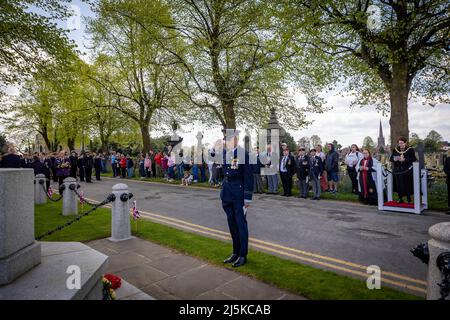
[[344, 237]]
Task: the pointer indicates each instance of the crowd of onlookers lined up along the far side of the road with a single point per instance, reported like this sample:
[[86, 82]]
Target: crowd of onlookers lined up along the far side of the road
[[313, 169]]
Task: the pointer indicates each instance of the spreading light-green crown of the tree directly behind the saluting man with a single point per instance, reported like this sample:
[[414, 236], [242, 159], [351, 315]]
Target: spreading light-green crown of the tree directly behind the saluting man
[[234, 55]]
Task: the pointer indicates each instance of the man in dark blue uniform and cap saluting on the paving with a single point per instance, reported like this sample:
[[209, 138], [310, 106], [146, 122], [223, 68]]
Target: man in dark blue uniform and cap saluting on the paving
[[236, 195]]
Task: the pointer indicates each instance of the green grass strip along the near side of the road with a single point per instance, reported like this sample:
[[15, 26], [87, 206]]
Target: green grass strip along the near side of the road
[[297, 278]]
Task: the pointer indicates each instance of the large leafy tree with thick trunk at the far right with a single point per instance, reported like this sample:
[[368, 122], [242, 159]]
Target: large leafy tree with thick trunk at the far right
[[385, 51]]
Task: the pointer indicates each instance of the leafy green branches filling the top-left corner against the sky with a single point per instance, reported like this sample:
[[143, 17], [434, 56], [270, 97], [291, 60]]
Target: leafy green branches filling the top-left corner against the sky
[[30, 39]]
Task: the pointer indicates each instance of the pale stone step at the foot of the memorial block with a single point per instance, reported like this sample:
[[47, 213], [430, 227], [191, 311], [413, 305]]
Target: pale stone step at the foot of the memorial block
[[48, 280]]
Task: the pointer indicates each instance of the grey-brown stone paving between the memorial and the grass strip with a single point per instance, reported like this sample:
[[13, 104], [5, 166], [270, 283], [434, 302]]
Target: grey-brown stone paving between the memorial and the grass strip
[[165, 274]]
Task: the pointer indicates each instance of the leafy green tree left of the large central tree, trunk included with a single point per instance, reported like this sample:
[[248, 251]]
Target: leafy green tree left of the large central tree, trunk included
[[138, 71]]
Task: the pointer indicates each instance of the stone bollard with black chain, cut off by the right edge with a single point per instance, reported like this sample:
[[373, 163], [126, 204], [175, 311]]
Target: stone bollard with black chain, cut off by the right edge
[[439, 243]]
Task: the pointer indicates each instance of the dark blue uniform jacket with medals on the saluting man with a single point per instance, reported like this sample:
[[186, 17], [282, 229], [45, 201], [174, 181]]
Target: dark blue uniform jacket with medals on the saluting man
[[238, 178]]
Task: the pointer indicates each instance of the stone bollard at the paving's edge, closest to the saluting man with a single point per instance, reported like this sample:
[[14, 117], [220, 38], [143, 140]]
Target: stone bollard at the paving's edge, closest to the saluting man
[[120, 214]]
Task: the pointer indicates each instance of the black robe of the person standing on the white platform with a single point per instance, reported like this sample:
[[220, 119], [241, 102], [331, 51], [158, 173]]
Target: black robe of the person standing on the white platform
[[403, 182]]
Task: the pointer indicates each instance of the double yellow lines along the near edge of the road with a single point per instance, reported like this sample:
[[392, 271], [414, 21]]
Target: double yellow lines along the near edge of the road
[[267, 246]]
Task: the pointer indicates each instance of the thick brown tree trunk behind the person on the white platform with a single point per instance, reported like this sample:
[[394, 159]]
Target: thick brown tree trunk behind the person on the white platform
[[399, 90]]
